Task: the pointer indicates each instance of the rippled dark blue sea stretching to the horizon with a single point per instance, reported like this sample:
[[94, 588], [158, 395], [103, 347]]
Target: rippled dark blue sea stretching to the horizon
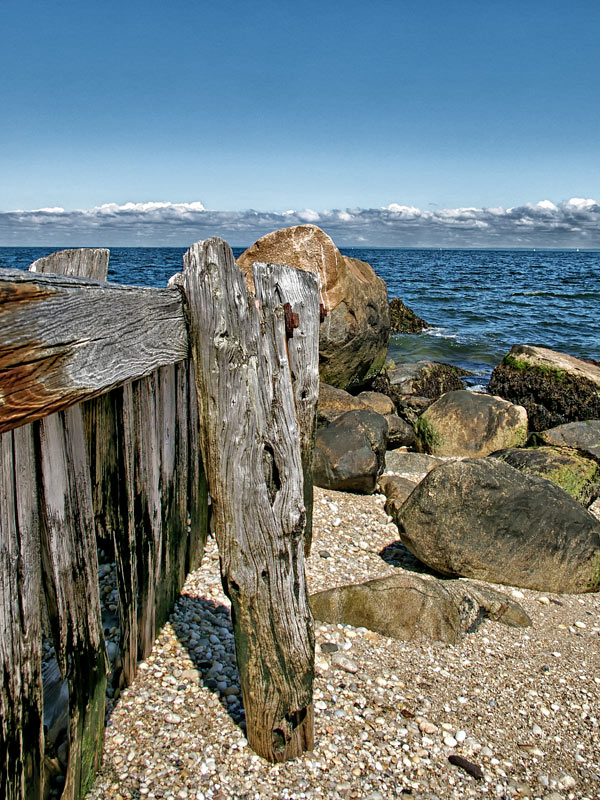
[[478, 302]]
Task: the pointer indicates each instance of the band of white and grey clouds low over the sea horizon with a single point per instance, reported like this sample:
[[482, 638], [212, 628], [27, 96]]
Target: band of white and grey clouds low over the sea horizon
[[575, 223]]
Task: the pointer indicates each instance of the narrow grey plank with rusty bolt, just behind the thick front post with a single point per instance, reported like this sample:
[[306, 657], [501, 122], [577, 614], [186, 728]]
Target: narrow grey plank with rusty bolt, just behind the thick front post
[[295, 290]]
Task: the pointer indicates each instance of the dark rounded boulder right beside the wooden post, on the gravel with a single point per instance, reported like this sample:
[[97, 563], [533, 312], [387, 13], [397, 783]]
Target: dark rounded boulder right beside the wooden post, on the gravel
[[349, 454]]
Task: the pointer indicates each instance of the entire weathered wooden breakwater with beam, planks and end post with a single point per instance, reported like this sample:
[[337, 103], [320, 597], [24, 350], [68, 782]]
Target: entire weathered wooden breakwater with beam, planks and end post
[[112, 399]]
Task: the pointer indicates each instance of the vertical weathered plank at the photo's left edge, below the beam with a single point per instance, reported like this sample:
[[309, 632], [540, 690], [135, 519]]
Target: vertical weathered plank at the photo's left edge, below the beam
[[21, 700]]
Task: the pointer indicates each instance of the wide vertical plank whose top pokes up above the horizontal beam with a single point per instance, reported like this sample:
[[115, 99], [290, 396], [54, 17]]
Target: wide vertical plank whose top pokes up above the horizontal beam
[[69, 552]]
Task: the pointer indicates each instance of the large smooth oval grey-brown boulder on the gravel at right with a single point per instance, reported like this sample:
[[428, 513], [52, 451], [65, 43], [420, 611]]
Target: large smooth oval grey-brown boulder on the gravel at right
[[481, 518]]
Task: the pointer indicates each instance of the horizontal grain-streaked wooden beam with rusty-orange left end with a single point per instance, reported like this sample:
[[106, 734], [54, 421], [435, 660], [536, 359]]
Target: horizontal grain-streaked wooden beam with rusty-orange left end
[[64, 340]]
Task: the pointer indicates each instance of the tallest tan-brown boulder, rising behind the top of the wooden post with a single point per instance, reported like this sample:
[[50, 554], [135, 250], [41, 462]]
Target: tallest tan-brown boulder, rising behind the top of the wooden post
[[354, 335]]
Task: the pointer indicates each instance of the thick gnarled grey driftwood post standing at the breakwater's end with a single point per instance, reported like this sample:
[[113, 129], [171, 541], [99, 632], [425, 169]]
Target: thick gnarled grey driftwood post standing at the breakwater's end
[[251, 448]]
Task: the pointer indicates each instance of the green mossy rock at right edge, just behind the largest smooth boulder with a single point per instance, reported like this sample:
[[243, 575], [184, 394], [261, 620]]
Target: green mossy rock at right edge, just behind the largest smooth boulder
[[577, 475]]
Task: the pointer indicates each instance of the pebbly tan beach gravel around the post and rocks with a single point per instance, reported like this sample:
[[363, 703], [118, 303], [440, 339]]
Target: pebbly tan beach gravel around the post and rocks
[[517, 709]]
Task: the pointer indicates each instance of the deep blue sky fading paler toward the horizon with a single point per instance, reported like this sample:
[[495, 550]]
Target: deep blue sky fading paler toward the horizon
[[275, 107]]
